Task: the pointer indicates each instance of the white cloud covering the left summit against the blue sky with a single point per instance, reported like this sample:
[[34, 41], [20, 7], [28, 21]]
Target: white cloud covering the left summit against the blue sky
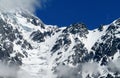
[[30, 5]]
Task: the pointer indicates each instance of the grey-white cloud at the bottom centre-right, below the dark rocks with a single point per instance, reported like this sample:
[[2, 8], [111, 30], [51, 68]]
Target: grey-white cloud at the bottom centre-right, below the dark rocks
[[80, 71]]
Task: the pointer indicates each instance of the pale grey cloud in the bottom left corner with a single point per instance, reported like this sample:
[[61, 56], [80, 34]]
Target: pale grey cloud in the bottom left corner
[[12, 72]]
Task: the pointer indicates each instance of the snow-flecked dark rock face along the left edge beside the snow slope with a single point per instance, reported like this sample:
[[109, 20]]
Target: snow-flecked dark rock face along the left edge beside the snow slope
[[9, 35]]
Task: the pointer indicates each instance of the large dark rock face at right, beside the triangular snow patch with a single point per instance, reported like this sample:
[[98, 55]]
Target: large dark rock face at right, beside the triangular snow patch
[[107, 48]]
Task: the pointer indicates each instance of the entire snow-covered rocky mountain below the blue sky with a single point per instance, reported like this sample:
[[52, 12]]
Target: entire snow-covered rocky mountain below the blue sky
[[37, 50]]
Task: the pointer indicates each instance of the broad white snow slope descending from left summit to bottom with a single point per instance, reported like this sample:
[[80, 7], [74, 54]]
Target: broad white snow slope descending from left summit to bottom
[[37, 56]]
